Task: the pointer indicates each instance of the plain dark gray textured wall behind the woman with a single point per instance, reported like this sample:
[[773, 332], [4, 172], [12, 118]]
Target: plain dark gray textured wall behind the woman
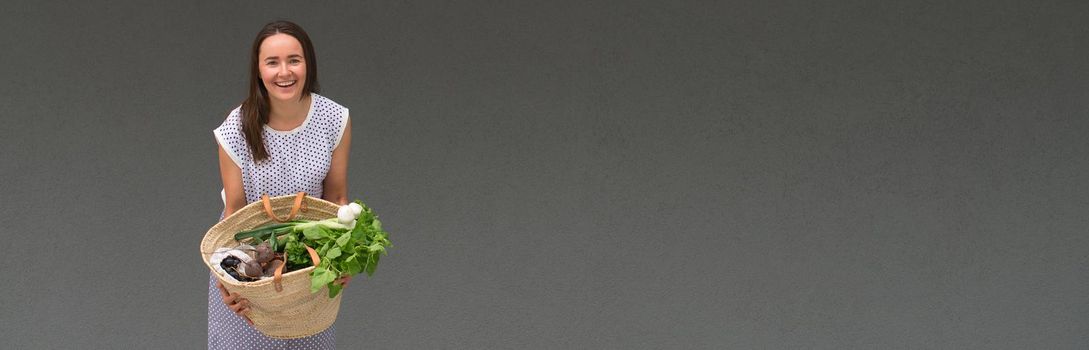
[[578, 175]]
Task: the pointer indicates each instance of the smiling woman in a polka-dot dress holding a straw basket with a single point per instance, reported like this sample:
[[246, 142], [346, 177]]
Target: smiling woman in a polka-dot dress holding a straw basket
[[284, 139]]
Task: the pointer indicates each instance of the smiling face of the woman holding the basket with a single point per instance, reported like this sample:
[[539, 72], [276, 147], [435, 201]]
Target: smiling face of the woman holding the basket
[[283, 67]]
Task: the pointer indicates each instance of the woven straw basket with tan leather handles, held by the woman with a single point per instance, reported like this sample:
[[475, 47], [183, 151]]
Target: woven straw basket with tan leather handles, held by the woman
[[292, 312]]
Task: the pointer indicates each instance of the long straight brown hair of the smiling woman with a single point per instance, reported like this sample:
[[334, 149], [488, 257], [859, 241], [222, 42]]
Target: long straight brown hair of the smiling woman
[[255, 110]]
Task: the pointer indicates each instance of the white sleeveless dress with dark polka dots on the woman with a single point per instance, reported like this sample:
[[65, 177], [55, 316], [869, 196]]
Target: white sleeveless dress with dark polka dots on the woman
[[299, 161]]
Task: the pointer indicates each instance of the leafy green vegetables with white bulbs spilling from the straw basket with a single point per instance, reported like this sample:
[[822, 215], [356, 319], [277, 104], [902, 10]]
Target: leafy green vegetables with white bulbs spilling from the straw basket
[[347, 246]]
